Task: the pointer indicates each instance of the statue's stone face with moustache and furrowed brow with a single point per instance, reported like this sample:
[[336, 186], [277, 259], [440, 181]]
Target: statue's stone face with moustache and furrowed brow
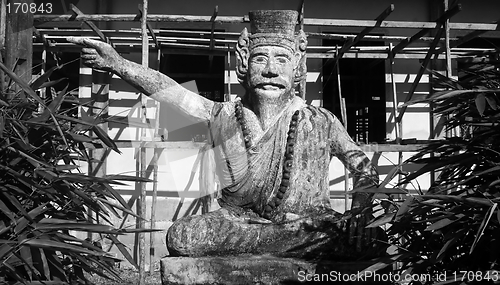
[[271, 72]]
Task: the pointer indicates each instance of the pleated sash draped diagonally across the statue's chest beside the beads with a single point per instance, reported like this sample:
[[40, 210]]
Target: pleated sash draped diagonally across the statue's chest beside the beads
[[256, 173]]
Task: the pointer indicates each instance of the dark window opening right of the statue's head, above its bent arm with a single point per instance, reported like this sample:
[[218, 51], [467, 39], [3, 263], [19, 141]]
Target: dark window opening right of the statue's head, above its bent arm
[[363, 89]]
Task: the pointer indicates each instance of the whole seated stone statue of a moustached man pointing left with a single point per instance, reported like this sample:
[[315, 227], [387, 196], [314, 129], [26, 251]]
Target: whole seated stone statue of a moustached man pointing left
[[272, 152]]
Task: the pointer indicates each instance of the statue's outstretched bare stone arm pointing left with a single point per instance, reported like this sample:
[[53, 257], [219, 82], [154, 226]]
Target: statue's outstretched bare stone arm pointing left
[[100, 55]]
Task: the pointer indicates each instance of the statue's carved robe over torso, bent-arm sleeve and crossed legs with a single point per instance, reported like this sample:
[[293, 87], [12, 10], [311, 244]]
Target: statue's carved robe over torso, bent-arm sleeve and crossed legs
[[304, 224]]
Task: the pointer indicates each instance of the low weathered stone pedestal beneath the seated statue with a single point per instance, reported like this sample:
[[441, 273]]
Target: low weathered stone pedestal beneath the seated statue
[[258, 270]]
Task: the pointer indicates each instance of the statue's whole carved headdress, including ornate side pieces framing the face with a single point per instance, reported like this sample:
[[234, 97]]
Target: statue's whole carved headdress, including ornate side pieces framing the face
[[271, 27]]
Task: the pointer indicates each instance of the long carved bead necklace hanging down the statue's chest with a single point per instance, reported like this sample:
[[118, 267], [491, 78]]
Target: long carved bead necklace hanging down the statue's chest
[[288, 162]]
